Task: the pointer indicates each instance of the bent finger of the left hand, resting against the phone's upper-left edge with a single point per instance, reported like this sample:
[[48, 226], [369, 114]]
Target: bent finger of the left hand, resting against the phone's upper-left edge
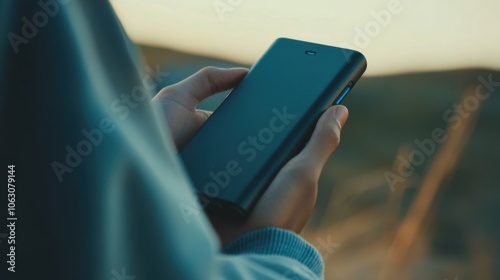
[[204, 83]]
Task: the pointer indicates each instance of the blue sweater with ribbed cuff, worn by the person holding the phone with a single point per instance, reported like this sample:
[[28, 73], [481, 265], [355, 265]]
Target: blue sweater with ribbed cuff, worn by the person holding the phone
[[101, 193]]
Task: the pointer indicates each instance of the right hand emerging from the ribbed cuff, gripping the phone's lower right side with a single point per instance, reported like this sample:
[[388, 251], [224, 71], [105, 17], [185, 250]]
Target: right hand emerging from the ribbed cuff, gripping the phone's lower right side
[[290, 199]]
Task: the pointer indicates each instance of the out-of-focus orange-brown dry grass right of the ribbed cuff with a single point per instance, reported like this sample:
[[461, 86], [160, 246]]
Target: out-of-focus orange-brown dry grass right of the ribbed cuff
[[379, 242]]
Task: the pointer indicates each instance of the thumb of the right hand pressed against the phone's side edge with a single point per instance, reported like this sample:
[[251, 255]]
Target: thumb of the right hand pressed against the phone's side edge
[[325, 138]]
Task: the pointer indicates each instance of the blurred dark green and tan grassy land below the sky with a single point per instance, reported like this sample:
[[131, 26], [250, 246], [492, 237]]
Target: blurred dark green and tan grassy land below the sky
[[440, 222]]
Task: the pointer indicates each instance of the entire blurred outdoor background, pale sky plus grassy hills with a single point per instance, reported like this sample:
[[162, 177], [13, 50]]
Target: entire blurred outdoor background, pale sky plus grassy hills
[[413, 191]]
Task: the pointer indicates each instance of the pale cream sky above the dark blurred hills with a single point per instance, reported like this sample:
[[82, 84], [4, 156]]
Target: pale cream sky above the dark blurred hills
[[396, 36]]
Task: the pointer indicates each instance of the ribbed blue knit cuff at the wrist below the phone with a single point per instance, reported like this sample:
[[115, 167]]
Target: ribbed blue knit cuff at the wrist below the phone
[[276, 241]]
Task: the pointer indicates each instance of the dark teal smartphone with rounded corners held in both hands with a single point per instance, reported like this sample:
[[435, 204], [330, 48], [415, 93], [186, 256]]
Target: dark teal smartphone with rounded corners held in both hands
[[265, 121]]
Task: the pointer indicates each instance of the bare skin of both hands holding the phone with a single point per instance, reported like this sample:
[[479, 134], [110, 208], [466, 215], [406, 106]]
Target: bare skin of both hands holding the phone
[[291, 197]]
